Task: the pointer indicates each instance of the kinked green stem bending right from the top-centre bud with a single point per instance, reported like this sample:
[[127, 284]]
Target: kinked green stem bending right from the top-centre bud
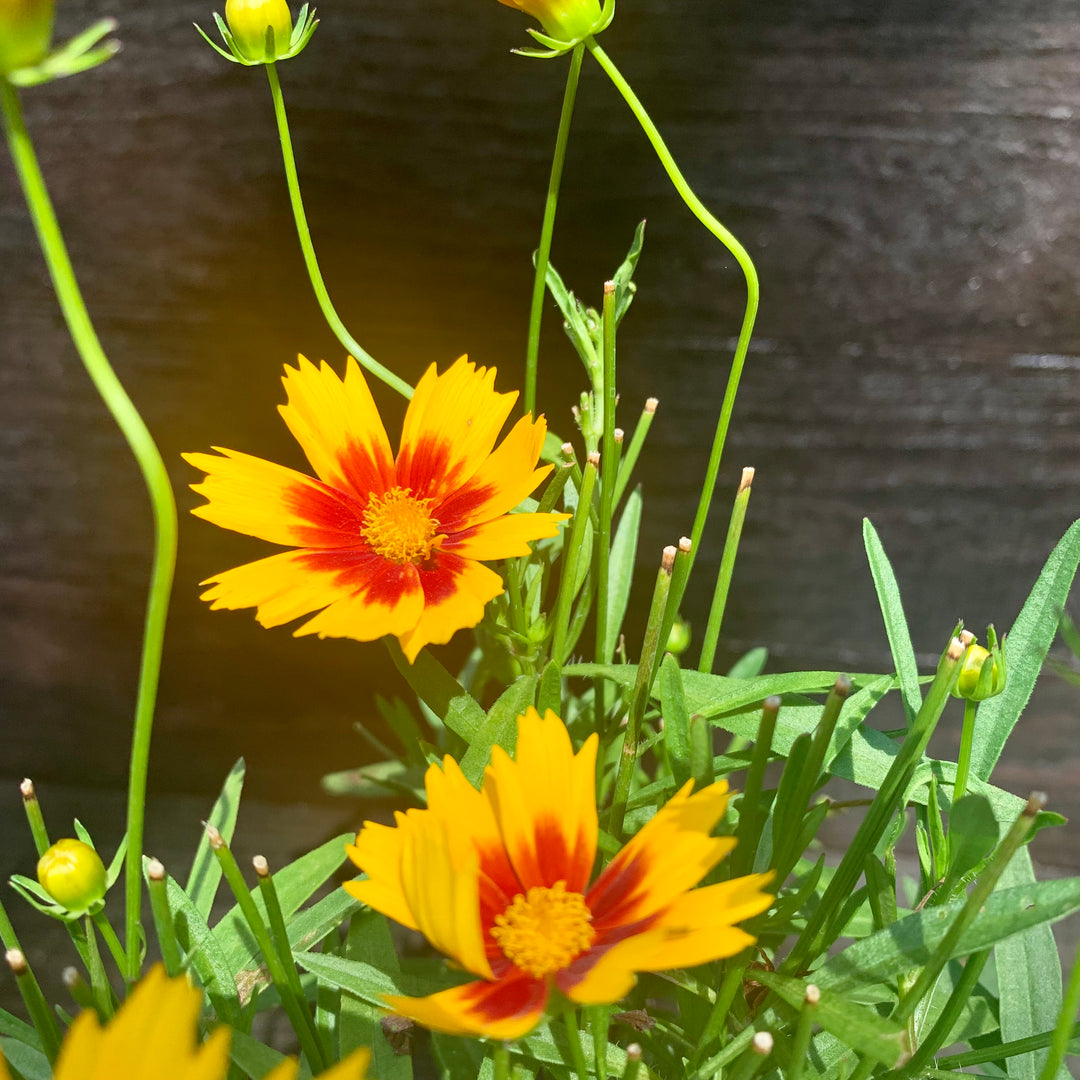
[[726, 238]]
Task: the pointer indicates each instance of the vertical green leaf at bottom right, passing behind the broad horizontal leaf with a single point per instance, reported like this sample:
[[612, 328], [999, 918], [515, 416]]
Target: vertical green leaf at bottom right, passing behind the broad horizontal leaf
[[1030, 979]]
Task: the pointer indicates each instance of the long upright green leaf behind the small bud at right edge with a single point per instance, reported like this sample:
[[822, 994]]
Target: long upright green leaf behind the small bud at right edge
[[1025, 651]]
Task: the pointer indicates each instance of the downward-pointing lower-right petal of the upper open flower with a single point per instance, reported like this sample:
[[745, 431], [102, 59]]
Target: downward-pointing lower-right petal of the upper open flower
[[455, 595]]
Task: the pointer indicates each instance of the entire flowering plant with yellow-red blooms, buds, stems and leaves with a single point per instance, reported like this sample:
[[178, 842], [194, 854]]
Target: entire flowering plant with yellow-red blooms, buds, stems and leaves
[[563, 848]]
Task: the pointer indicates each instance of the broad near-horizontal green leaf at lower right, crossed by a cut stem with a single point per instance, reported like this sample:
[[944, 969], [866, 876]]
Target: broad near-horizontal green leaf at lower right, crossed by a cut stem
[[910, 942]]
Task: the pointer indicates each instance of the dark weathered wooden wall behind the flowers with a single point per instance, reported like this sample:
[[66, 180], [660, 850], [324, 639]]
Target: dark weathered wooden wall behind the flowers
[[904, 175]]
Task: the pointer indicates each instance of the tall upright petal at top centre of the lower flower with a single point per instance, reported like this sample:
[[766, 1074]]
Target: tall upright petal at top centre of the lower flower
[[545, 802]]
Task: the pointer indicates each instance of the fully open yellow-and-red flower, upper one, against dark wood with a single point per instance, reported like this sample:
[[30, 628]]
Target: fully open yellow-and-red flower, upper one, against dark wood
[[381, 546]]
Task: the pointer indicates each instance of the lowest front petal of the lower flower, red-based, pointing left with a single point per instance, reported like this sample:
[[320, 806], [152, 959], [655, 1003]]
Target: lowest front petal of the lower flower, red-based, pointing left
[[507, 1009]]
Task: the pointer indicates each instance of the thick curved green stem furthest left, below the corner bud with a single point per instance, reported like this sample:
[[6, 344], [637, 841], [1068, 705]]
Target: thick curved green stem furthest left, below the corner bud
[[155, 477]]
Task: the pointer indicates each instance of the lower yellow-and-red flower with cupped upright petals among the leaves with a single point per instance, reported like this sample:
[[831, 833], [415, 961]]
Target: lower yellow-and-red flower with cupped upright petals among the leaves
[[499, 881]]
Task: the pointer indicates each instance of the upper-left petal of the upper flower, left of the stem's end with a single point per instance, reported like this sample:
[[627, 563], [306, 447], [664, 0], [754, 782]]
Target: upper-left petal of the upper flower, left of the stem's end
[[339, 427]]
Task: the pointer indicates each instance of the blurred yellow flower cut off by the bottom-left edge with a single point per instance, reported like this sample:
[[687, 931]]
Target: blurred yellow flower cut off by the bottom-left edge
[[154, 1035]]
